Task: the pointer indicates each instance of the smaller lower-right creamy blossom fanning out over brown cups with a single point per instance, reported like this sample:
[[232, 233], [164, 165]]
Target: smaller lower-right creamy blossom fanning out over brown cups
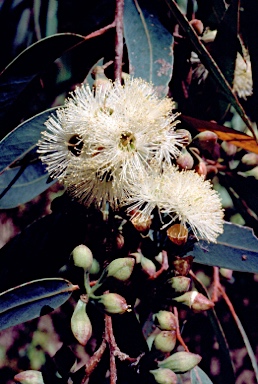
[[182, 195]]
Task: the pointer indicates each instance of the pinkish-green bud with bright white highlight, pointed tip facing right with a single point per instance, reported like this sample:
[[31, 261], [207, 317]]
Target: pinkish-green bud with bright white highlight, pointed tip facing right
[[195, 300]]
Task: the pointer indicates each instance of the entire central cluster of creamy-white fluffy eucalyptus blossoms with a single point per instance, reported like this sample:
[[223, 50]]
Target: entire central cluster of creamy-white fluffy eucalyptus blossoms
[[117, 144]]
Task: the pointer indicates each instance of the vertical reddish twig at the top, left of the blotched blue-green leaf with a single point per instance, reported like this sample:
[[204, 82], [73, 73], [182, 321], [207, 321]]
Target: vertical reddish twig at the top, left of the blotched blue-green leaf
[[119, 39]]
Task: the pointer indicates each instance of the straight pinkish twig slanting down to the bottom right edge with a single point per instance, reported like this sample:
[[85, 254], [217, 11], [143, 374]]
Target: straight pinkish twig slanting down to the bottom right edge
[[241, 330]]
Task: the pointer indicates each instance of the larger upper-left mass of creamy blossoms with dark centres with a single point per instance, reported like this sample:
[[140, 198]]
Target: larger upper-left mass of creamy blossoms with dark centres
[[99, 141]]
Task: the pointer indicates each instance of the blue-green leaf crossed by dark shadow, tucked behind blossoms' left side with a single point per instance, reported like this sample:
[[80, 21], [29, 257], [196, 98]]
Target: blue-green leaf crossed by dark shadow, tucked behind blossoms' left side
[[23, 176]]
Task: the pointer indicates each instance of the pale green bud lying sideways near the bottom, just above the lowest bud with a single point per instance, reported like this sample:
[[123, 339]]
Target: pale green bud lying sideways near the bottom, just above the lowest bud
[[180, 362]]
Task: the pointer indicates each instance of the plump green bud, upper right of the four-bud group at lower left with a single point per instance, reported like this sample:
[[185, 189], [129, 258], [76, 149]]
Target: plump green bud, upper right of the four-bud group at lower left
[[121, 268]]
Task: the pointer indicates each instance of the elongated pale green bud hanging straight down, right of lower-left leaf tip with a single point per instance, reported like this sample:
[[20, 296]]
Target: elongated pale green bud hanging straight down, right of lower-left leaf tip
[[80, 323]]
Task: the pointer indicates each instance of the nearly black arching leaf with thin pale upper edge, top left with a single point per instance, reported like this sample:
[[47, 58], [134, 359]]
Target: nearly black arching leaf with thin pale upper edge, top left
[[16, 77]]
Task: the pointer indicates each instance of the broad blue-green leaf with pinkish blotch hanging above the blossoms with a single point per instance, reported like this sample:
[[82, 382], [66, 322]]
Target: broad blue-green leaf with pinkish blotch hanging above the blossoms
[[149, 44]]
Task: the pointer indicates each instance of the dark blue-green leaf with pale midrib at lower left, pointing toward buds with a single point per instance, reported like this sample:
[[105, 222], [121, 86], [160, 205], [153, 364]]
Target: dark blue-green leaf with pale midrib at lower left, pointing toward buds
[[33, 299]]
